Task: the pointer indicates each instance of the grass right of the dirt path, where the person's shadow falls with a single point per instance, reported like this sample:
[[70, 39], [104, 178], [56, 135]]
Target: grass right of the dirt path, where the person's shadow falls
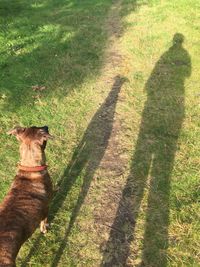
[[162, 112]]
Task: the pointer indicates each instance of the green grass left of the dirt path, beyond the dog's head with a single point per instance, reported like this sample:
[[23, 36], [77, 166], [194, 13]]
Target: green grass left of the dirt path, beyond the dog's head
[[57, 44]]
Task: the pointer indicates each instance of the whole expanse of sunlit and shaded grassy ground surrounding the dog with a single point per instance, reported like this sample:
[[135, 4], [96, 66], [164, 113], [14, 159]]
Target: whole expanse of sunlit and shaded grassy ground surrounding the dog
[[61, 45]]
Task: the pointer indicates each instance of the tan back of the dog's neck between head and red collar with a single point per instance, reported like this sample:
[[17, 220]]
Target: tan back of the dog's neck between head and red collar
[[31, 155]]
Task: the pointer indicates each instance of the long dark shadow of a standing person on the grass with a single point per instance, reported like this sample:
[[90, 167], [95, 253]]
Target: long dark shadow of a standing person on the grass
[[152, 163]]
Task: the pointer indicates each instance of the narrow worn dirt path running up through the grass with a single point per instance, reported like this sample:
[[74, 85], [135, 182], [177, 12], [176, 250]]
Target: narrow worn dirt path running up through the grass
[[109, 179]]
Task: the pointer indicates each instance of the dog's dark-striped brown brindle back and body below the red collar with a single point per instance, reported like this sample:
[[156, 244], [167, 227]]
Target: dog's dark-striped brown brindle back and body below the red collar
[[24, 207]]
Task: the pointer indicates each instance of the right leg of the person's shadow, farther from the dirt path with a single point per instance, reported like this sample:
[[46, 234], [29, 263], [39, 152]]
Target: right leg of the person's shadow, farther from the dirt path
[[157, 214]]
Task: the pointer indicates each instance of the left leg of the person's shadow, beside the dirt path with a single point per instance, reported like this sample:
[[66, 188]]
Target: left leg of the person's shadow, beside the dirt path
[[117, 248]]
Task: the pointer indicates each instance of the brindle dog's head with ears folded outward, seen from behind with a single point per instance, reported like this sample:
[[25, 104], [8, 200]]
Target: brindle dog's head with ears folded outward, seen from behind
[[32, 136]]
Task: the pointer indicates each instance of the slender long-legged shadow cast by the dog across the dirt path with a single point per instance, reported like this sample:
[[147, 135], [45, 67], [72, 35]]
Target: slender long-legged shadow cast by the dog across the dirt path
[[87, 156]]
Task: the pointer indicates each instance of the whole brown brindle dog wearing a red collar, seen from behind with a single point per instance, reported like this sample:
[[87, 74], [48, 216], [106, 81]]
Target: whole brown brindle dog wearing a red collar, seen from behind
[[26, 204]]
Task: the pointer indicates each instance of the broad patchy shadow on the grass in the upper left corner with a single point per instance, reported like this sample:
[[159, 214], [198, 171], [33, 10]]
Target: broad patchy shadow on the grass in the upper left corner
[[57, 44]]
